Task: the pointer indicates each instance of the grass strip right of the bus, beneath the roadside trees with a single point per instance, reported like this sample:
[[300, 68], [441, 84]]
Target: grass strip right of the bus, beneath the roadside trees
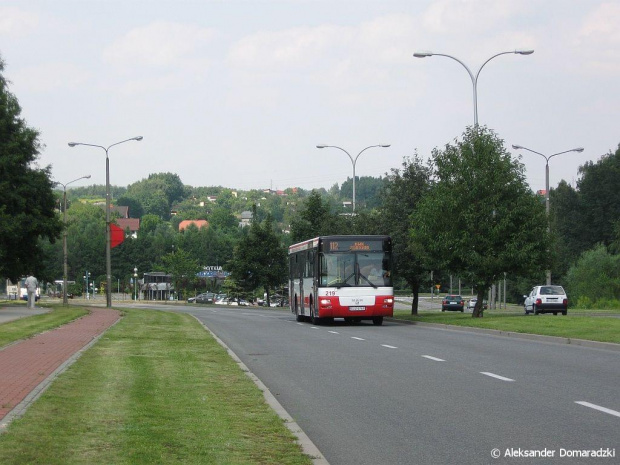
[[575, 325]]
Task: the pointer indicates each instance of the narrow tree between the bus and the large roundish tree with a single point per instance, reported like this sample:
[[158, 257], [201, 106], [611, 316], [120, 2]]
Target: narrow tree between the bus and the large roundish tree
[[402, 192]]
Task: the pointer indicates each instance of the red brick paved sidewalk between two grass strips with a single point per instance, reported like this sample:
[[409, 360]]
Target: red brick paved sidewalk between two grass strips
[[29, 366]]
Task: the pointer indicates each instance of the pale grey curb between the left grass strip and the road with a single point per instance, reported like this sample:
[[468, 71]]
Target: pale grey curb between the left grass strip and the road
[[308, 447]]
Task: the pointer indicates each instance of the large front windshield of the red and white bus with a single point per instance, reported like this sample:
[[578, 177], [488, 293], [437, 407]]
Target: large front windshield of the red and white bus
[[358, 269]]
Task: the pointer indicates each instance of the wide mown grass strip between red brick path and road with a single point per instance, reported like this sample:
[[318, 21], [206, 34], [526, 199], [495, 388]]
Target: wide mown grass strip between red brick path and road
[[156, 388]]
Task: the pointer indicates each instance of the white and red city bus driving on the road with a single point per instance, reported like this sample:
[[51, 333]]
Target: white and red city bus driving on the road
[[341, 277]]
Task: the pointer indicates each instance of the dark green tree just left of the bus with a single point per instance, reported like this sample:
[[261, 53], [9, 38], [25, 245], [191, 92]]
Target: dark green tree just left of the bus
[[259, 259]]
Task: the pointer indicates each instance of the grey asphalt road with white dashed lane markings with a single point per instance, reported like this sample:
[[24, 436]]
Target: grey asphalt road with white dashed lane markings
[[403, 394]]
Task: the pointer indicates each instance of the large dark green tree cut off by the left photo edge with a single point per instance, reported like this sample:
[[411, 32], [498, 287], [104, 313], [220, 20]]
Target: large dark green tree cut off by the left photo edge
[[27, 210]]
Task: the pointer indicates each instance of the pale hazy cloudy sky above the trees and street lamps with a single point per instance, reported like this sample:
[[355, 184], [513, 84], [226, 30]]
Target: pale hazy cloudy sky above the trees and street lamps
[[239, 93]]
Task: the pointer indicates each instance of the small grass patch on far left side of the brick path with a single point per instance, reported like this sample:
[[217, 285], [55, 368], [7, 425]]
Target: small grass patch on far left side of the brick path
[[27, 327]]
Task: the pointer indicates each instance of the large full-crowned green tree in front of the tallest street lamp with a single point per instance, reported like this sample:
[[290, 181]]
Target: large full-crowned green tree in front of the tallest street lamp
[[480, 218]]
